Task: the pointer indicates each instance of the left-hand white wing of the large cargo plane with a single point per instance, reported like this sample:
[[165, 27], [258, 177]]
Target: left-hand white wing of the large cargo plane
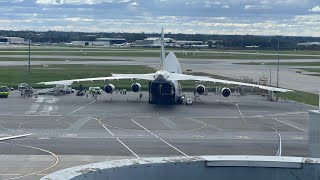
[[113, 77]]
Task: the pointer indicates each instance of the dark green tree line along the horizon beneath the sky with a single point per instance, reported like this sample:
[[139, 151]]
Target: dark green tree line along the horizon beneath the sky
[[214, 41]]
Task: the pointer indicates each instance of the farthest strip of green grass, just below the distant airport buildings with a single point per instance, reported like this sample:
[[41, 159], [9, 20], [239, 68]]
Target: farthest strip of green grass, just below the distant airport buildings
[[145, 53]]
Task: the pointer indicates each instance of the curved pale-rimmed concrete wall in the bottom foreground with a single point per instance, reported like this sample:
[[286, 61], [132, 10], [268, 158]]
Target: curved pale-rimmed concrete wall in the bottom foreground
[[203, 167]]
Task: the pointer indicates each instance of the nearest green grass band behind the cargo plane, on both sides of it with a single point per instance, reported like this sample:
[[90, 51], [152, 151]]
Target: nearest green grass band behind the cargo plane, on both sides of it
[[13, 75]]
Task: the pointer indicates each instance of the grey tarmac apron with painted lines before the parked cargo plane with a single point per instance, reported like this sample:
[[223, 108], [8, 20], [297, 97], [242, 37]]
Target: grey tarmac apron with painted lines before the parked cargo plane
[[73, 130]]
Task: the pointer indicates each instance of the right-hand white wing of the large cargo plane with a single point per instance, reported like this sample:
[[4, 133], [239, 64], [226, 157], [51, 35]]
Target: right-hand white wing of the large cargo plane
[[184, 77]]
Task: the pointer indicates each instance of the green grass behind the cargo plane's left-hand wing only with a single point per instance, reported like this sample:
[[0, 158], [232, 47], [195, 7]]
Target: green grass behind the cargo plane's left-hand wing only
[[13, 75]]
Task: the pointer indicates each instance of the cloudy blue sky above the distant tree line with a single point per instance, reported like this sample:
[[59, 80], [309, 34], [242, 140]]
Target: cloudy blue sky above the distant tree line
[[259, 17]]
